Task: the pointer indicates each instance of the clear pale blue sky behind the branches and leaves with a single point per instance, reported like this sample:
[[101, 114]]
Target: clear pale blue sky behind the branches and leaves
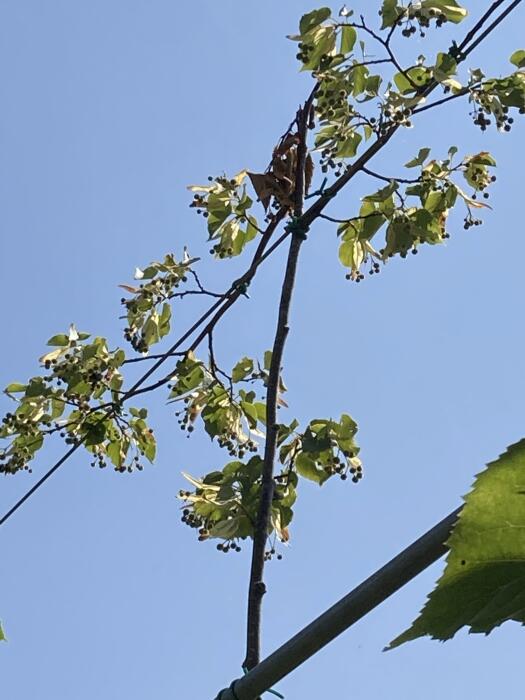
[[109, 109]]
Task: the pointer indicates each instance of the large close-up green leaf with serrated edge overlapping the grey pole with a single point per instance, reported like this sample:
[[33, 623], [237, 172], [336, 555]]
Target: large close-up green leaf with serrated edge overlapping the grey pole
[[484, 581]]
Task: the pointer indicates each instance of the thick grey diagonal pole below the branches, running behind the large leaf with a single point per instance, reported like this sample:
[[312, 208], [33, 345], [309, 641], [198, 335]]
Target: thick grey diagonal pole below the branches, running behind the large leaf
[[355, 605]]
